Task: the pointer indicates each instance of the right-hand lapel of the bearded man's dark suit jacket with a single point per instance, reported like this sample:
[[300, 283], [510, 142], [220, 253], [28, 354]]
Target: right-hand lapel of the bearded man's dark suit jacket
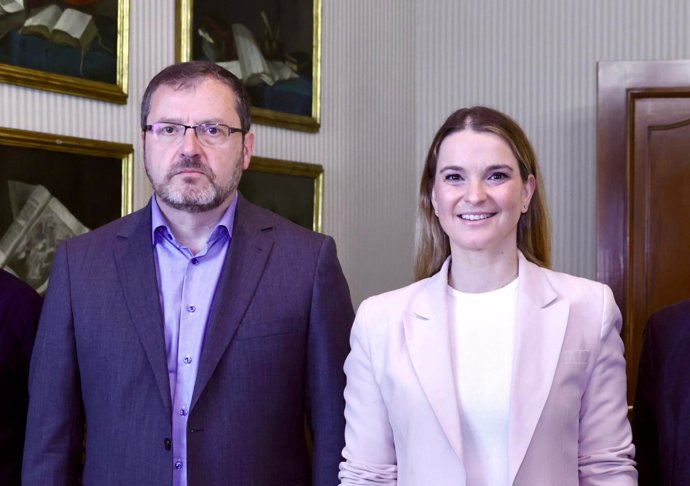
[[252, 241]]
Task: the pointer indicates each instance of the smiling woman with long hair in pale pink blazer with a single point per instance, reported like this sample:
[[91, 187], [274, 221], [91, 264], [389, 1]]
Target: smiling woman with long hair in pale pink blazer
[[491, 369]]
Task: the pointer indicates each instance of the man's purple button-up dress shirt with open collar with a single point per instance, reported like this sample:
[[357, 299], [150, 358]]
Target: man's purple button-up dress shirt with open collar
[[186, 287]]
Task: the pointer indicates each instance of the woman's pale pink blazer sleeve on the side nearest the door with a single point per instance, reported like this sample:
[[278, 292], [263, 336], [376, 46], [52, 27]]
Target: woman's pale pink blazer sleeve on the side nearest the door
[[606, 451]]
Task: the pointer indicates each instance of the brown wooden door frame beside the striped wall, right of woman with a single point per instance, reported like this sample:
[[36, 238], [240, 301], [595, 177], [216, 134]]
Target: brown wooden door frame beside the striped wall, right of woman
[[620, 84]]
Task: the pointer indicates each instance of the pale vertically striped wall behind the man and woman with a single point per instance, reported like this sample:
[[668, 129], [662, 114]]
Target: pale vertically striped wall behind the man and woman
[[392, 70]]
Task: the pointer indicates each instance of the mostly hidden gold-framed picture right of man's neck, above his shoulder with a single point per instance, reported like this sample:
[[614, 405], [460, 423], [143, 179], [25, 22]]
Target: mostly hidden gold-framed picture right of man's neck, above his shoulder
[[293, 190]]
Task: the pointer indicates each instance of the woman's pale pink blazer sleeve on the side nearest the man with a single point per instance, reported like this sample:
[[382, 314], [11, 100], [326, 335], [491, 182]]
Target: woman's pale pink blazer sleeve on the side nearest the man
[[369, 453]]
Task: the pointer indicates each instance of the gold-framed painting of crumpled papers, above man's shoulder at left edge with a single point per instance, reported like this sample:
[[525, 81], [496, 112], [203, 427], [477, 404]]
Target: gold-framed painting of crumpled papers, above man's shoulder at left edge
[[53, 188]]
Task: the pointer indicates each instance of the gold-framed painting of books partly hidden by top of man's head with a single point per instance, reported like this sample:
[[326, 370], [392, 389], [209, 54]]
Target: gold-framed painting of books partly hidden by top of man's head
[[274, 46]]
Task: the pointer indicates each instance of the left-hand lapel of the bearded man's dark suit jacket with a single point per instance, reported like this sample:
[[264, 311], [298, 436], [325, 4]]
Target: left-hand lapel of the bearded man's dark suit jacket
[[137, 272]]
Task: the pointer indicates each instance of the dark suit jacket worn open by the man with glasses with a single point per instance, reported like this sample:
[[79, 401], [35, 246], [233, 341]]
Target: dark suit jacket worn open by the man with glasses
[[275, 345]]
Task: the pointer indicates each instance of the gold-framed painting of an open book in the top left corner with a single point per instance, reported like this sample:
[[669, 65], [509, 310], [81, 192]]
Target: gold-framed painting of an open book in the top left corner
[[75, 47]]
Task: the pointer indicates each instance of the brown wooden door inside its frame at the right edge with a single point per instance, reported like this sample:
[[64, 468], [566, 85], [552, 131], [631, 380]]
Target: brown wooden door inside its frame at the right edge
[[660, 210]]
